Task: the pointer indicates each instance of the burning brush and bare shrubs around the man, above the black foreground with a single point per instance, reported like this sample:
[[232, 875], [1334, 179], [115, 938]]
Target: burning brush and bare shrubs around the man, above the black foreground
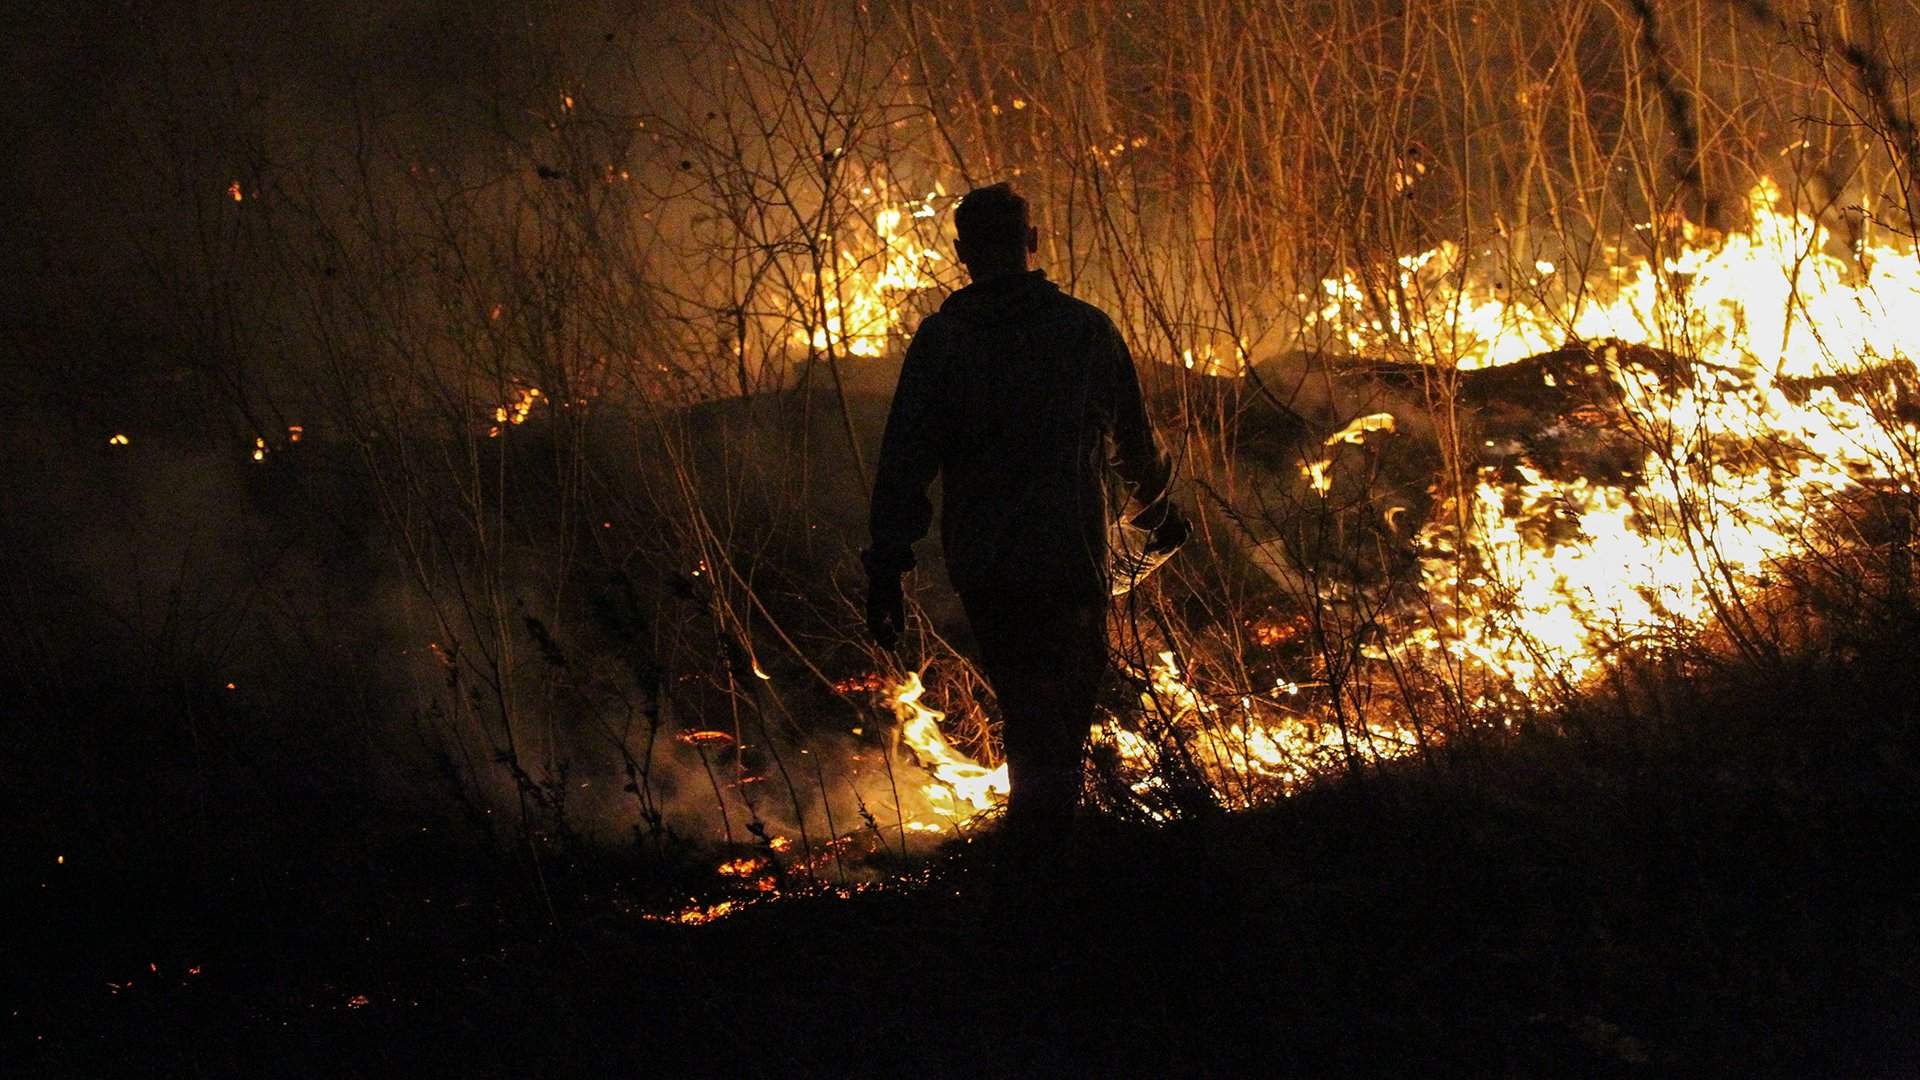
[[1518, 358]]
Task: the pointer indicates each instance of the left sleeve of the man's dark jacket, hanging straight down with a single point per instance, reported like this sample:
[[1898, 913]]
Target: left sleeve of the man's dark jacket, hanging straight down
[[909, 458]]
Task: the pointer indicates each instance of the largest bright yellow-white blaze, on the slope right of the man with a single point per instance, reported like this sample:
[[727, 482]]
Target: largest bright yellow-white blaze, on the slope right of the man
[[1750, 312]]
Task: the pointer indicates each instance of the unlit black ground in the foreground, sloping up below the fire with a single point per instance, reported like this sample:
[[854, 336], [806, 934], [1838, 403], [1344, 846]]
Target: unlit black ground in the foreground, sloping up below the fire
[[1729, 889]]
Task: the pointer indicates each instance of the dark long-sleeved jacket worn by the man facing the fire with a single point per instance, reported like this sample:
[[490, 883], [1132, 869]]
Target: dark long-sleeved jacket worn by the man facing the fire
[[1019, 397]]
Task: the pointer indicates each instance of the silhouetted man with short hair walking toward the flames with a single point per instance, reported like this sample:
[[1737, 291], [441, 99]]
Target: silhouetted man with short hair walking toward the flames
[[1020, 397]]
